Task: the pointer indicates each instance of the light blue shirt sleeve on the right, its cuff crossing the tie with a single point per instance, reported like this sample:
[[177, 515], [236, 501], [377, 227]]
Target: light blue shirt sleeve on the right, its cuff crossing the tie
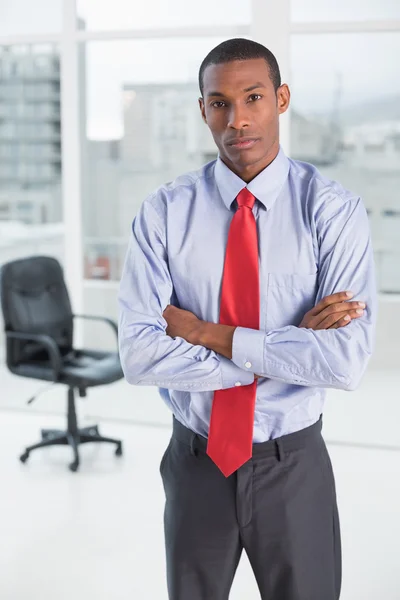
[[334, 358]]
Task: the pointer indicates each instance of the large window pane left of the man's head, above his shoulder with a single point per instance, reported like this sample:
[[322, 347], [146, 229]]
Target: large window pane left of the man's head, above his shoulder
[[143, 128]]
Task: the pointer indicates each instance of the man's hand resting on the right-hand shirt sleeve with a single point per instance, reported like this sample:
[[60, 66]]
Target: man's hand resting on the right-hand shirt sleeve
[[332, 312]]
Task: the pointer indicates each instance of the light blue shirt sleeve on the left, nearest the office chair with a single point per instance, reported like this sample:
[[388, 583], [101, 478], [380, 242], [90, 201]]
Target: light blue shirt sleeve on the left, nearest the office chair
[[148, 355]]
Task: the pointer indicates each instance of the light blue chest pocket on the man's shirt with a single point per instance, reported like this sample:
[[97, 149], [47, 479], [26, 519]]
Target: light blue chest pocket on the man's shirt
[[289, 297]]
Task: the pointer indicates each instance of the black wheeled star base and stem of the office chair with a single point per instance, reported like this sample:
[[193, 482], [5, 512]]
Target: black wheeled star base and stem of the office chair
[[73, 436]]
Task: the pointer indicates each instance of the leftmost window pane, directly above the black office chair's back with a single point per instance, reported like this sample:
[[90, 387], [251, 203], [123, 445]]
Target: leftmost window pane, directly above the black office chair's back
[[30, 151]]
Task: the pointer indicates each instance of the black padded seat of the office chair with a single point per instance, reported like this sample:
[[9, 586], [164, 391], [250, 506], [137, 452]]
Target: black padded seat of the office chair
[[81, 369]]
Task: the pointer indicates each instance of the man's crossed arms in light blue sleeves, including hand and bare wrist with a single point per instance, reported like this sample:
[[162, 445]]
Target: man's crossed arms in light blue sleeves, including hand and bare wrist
[[157, 349]]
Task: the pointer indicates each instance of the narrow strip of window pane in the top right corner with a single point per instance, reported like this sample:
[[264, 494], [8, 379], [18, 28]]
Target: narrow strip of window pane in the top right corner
[[344, 10]]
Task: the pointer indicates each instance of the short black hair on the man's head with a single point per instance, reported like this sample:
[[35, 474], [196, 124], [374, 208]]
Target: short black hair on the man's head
[[240, 49]]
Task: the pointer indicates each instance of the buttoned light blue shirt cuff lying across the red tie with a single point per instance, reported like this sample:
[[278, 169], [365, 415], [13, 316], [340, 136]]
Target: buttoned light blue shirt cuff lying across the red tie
[[248, 349]]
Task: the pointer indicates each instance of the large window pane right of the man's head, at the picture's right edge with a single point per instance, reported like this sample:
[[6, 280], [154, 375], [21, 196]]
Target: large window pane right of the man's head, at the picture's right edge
[[346, 120]]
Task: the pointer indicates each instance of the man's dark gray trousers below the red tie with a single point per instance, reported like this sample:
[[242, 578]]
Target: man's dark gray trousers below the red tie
[[280, 507]]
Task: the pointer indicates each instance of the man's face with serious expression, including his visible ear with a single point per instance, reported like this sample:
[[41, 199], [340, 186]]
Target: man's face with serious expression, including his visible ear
[[242, 109]]
